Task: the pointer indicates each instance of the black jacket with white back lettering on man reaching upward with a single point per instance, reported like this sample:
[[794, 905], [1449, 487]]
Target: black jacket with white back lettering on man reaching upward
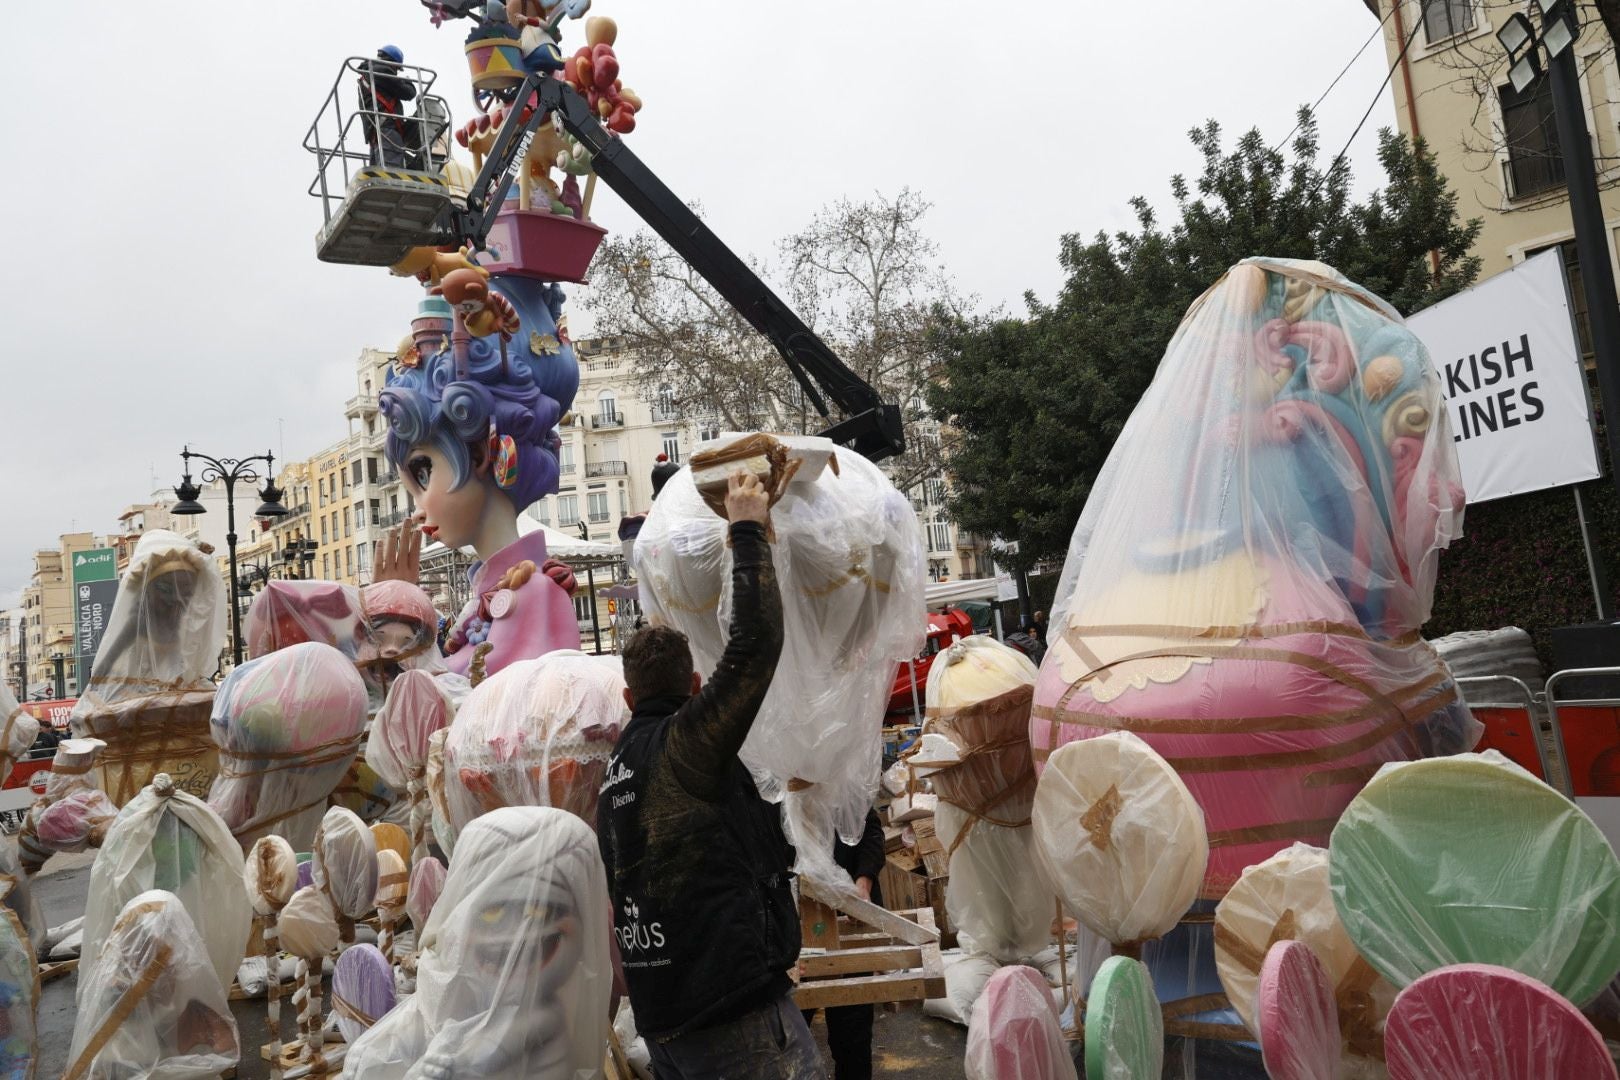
[[697, 862]]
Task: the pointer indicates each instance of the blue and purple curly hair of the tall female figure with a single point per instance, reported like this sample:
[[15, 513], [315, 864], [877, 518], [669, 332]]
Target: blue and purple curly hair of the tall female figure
[[522, 398]]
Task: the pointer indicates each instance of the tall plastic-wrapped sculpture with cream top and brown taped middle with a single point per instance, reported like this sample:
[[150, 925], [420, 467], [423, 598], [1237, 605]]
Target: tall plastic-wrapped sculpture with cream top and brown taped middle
[[979, 694]]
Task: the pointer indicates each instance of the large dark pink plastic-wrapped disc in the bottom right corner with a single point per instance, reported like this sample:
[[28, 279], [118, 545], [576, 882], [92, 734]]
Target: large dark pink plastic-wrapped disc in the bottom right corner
[[1483, 1023]]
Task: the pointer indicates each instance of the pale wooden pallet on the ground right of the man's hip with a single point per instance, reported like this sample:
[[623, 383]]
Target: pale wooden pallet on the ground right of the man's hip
[[871, 955]]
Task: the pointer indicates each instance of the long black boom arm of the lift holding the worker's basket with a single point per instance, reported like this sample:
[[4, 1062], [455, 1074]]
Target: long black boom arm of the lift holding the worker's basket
[[871, 425]]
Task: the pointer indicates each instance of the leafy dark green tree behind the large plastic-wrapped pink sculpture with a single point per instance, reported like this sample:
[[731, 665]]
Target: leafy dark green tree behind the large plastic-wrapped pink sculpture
[[1038, 402]]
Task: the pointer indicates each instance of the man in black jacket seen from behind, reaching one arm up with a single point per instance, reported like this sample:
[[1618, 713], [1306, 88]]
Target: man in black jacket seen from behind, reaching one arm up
[[697, 864]]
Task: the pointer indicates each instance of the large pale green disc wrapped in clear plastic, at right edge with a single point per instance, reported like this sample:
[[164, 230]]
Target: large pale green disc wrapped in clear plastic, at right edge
[[1540, 893]]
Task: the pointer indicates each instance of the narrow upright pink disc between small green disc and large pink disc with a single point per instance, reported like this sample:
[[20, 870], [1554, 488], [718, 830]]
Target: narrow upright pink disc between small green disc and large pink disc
[[1298, 1016]]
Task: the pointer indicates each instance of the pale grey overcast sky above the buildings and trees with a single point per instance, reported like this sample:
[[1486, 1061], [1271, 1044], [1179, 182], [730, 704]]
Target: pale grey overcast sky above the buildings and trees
[[163, 287]]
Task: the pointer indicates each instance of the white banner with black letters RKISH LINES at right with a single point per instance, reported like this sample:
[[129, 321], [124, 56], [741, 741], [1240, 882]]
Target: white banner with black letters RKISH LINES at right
[[1512, 376]]
